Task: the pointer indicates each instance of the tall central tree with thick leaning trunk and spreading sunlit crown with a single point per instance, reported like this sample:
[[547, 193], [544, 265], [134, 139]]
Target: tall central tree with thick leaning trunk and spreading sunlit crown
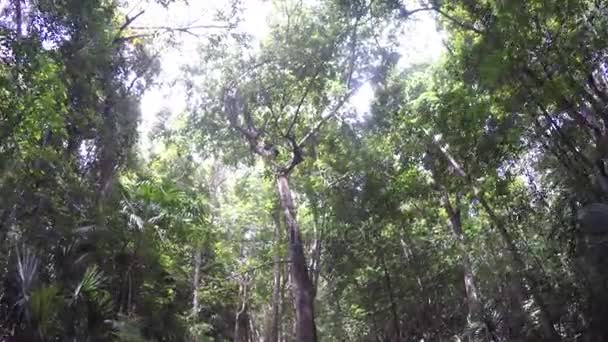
[[282, 103]]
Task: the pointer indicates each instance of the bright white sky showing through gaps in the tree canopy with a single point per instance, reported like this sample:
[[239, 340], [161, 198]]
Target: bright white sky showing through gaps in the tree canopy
[[422, 43]]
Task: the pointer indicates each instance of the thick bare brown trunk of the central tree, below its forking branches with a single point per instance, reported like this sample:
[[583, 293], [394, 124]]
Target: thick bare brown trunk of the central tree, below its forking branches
[[303, 289]]
